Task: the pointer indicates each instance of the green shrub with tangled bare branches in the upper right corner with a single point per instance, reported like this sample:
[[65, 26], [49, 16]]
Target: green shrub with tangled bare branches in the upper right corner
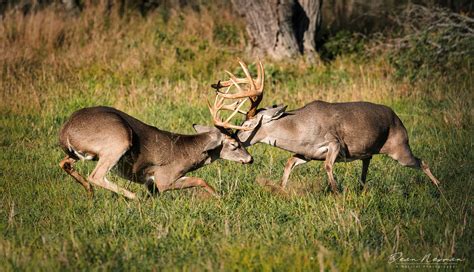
[[434, 41]]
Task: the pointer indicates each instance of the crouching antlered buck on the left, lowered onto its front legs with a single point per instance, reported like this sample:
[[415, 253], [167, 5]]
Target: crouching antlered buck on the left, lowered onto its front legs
[[143, 153]]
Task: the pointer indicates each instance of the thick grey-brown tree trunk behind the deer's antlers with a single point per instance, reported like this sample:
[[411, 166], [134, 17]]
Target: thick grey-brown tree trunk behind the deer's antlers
[[281, 28]]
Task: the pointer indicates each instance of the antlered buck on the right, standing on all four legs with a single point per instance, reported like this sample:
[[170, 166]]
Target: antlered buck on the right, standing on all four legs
[[322, 131]]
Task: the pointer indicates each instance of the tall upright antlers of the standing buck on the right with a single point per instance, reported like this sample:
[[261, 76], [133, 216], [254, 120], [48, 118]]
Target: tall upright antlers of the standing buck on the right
[[254, 92]]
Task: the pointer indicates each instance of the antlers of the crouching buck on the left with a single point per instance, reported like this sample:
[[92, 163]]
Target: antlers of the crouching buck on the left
[[219, 105]]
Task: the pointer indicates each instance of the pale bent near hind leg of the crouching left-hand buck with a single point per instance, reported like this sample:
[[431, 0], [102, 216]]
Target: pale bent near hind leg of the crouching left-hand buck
[[98, 177]]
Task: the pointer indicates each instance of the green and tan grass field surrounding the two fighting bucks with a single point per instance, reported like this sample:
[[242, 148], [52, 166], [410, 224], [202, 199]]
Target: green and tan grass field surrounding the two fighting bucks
[[158, 68]]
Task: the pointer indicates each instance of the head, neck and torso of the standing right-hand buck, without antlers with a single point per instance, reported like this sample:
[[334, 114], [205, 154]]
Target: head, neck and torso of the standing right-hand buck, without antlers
[[362, 128]]
